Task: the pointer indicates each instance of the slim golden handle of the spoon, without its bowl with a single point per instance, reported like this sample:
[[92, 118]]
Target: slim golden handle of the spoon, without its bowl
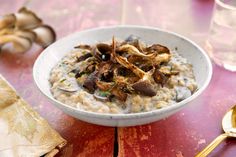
[[212, 146]]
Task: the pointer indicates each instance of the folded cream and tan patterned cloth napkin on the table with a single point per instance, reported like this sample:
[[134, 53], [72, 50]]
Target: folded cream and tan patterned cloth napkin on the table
[[23, 132]]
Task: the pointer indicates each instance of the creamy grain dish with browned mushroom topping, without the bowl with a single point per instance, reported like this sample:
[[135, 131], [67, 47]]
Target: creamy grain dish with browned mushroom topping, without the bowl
[[122, 76]]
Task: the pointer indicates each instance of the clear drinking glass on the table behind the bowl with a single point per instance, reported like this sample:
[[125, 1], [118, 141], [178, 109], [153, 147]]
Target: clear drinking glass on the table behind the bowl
[[221, 41]]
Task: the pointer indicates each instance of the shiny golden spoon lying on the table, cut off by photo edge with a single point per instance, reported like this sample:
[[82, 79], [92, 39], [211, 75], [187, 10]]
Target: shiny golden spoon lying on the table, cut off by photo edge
[[229, 127]]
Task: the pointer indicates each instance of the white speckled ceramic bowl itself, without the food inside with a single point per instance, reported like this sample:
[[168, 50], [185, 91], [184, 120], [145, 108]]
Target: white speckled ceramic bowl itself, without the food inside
[[50, 56]]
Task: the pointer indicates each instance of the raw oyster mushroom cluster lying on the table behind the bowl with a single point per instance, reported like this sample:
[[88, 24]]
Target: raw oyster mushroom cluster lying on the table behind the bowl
[[22, 29]]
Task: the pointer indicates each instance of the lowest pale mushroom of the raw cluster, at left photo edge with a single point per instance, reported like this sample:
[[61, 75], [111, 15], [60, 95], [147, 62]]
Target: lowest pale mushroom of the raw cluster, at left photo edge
[[20, 44]]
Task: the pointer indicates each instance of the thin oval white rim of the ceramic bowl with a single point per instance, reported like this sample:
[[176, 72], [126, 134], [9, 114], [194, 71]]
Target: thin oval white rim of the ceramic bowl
[[164, 110]]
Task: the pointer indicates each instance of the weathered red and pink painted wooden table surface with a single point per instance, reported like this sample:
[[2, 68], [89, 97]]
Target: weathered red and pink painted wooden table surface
[[183, 134]]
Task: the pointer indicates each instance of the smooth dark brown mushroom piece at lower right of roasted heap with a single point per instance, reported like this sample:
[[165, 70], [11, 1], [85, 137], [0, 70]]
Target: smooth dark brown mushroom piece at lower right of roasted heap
[[144, 87]]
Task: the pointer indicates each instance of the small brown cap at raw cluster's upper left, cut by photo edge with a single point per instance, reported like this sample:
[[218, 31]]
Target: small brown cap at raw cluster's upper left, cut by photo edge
[[7, 21]]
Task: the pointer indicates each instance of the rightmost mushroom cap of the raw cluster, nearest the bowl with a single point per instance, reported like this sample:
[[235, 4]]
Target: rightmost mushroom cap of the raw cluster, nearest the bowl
[[45, 35]]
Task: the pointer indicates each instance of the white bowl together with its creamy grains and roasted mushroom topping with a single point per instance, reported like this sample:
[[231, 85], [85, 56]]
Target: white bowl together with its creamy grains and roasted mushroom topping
[[124, 81]]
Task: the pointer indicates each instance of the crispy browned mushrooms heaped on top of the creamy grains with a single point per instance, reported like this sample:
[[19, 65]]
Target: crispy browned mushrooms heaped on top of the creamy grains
[[121, 68]]
